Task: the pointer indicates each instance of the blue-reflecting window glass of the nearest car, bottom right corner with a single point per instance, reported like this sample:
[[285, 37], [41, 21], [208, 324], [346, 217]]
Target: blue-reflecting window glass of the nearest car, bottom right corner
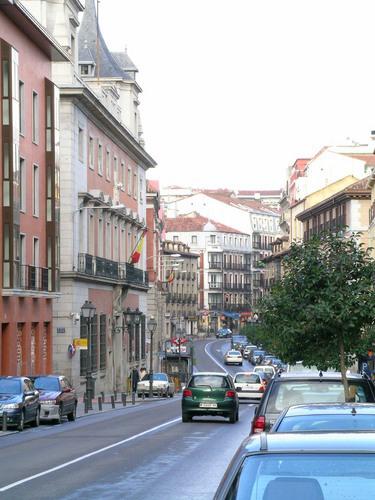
[[317, 476]]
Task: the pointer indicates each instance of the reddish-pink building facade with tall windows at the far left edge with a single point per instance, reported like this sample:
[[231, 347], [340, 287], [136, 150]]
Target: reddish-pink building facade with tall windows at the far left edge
[[29, 216]]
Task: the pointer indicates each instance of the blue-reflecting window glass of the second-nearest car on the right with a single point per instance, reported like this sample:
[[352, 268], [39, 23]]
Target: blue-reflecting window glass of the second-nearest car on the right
[[320, 423]]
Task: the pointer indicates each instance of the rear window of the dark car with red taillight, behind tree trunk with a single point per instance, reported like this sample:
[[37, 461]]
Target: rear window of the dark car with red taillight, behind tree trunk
[[295, 392]]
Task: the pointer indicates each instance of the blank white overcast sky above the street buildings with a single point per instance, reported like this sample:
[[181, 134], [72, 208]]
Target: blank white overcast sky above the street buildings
[[235, 90]]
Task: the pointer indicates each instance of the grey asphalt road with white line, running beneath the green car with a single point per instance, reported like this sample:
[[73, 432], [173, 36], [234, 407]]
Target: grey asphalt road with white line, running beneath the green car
[[143, 452]]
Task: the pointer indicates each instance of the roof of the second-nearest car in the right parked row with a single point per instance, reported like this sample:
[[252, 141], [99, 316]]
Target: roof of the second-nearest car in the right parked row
[[331, 409]]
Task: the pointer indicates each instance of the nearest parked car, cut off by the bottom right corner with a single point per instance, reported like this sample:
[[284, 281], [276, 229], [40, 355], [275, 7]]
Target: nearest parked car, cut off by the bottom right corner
[[289, 466]]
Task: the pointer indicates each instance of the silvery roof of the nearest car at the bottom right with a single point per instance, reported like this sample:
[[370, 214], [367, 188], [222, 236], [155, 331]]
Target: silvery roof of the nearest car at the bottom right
[[305, 442]]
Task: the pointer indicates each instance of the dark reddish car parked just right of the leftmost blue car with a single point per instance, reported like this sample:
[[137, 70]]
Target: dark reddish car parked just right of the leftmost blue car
[[57, 398]]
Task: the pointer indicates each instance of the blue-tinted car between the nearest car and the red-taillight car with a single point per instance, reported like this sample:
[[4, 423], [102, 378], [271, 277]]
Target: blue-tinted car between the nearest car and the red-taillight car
[[327, 417]]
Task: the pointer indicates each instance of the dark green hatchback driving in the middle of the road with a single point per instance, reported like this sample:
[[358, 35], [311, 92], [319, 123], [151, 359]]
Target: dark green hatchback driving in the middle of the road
[[210, 393]]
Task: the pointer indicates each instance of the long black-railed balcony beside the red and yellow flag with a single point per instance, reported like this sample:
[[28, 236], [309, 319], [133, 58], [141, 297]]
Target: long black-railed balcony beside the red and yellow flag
[[109, 269]]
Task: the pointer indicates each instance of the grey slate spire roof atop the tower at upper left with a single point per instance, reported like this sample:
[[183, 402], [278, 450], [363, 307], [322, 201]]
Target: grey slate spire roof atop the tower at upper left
[[108, 64]]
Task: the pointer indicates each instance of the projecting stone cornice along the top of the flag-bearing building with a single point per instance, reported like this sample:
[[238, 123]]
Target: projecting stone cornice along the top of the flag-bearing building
[[88, 102]]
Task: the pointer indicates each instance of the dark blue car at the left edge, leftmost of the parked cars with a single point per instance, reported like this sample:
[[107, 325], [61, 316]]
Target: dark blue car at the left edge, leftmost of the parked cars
[[20, 400]]
